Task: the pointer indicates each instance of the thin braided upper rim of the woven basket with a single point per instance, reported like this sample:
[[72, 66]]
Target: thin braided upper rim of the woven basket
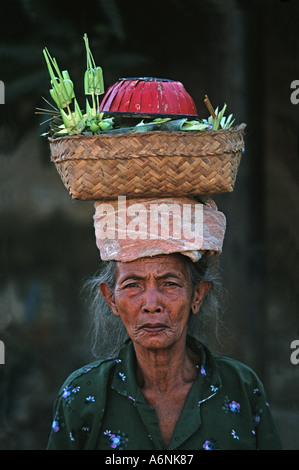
[[235, 129]]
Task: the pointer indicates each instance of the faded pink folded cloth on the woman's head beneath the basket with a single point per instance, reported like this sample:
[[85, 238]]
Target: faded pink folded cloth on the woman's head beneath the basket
[[128, 229]]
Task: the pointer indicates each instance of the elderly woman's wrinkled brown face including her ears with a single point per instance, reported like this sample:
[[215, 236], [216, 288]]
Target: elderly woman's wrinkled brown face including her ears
[[154, 297]]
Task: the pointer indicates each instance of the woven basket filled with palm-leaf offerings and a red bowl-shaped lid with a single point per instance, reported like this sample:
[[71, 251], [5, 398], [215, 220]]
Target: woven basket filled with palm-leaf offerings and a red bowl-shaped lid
[[107, 150]]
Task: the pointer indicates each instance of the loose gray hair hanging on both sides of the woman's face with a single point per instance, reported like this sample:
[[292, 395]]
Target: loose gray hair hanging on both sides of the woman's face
[[108, 331]]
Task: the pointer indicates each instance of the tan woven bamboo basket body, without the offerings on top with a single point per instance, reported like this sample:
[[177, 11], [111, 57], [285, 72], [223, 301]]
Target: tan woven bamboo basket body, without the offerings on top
[[149, 164]]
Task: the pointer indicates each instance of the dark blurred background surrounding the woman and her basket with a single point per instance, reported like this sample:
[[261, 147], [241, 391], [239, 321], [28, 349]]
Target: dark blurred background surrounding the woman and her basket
[[242, 52]]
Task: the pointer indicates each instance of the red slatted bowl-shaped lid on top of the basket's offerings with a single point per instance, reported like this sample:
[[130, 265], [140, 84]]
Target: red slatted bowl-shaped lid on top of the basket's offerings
[[148, 97]]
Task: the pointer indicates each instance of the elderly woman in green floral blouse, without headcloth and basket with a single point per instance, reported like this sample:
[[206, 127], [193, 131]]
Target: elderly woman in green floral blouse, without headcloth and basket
[[159, 387]]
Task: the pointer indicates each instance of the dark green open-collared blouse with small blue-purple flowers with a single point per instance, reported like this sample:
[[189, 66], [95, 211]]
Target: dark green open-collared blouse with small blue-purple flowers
[[100, 406]]
